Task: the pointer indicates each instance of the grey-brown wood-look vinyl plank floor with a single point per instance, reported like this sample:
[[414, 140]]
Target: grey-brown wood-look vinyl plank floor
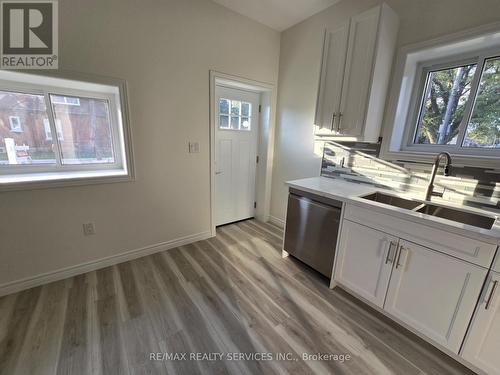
[[229, 294]]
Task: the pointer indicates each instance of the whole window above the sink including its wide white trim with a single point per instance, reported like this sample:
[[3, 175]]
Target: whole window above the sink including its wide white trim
[[444, 101]]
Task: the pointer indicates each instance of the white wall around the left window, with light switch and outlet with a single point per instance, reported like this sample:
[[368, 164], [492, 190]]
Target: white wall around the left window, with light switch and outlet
[[164, 49]]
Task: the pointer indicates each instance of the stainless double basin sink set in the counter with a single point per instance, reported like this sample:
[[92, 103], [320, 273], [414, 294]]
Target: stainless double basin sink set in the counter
[[468, 218]]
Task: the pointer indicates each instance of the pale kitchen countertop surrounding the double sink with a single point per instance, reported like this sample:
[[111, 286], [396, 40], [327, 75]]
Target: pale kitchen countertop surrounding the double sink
[[351, 192]]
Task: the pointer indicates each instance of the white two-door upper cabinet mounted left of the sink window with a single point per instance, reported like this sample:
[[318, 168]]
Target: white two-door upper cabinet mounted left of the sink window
[[355, 73]]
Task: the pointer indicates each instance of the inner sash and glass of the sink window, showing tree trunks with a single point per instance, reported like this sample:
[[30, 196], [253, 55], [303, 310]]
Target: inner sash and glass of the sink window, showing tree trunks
[[459, 107]]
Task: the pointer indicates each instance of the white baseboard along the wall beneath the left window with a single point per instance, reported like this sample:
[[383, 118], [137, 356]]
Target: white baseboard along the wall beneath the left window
[[63, 273]]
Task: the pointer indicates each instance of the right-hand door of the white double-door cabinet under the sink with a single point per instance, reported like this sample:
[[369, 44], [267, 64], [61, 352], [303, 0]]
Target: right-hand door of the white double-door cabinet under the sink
[[434, 293]]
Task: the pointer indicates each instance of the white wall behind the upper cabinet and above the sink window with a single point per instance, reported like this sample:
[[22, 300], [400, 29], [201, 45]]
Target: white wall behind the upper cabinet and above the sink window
[[296, 156]]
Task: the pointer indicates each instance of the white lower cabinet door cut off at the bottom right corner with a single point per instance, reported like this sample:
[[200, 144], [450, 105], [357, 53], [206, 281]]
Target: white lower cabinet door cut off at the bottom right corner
[[482, 345]]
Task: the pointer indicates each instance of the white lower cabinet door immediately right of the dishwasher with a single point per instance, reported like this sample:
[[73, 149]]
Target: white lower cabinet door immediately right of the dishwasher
[[364, 261]]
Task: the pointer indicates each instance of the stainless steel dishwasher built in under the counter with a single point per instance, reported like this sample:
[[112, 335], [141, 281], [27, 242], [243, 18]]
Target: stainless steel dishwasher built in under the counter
[[312, 227]]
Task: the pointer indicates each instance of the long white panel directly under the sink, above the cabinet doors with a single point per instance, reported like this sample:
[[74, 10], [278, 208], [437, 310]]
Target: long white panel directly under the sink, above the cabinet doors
[[471, 250]]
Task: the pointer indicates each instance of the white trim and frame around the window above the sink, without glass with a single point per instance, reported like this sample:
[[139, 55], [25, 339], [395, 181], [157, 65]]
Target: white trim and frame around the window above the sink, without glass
[[403, 102]]
